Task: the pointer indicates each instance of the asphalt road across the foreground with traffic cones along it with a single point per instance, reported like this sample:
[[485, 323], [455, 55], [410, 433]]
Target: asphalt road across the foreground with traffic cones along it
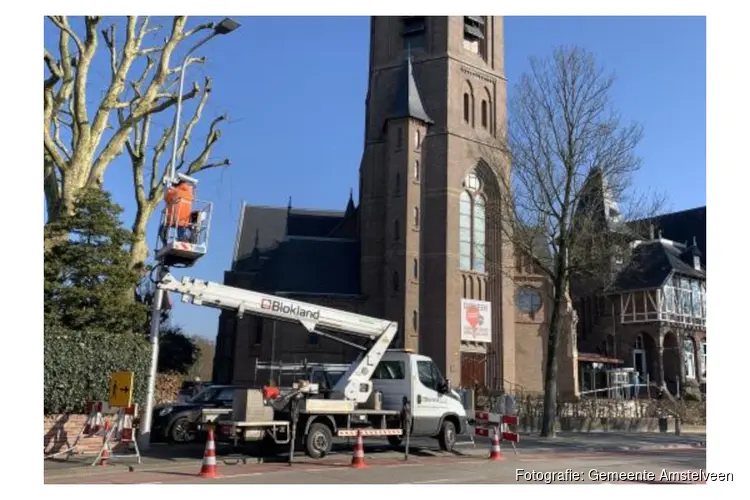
[[390, 468]]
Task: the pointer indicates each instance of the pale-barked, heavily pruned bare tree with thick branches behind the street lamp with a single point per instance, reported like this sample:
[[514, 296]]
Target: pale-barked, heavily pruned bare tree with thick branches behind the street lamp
[[77, 148]]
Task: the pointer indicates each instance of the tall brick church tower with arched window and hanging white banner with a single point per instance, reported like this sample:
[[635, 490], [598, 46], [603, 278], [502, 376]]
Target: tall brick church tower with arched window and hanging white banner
[[437, 100]]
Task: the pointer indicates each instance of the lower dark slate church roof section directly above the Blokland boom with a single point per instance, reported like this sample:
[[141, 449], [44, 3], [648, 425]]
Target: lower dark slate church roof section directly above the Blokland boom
[[320, 266]]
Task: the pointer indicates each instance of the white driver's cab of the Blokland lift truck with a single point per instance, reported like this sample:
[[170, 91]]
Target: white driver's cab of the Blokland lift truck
[[436, 409]]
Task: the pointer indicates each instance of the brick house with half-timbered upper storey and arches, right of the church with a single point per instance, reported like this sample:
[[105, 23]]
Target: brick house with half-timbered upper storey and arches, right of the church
[[651, 315]]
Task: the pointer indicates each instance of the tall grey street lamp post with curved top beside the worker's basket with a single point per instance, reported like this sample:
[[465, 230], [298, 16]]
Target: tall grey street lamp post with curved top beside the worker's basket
[[144, 439]]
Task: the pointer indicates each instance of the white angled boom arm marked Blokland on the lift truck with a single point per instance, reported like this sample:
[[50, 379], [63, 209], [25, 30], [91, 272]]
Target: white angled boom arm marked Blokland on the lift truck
[[355, 385]]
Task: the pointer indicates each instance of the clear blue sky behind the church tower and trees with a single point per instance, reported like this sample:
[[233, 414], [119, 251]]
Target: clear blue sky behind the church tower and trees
[[294, 89]]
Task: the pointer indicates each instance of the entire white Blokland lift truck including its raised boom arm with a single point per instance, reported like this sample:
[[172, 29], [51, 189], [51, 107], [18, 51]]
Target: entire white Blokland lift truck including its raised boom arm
[[384, 392]]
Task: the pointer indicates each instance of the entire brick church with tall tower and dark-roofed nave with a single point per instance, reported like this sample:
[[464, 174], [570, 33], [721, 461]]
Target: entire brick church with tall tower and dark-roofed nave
[[416, 246]]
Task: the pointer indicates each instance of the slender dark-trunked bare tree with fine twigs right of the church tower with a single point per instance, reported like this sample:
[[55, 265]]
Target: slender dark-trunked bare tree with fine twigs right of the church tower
[[566, 162]]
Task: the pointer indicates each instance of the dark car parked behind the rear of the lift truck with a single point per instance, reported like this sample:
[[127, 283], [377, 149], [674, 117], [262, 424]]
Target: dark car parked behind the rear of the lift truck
[[178, 422]]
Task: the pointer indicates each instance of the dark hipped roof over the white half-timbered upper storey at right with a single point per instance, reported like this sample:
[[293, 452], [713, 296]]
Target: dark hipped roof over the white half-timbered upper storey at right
[[650, 264]]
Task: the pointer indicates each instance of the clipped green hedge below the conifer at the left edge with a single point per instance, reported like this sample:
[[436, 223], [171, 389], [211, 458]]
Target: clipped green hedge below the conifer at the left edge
[[78, 365]]
